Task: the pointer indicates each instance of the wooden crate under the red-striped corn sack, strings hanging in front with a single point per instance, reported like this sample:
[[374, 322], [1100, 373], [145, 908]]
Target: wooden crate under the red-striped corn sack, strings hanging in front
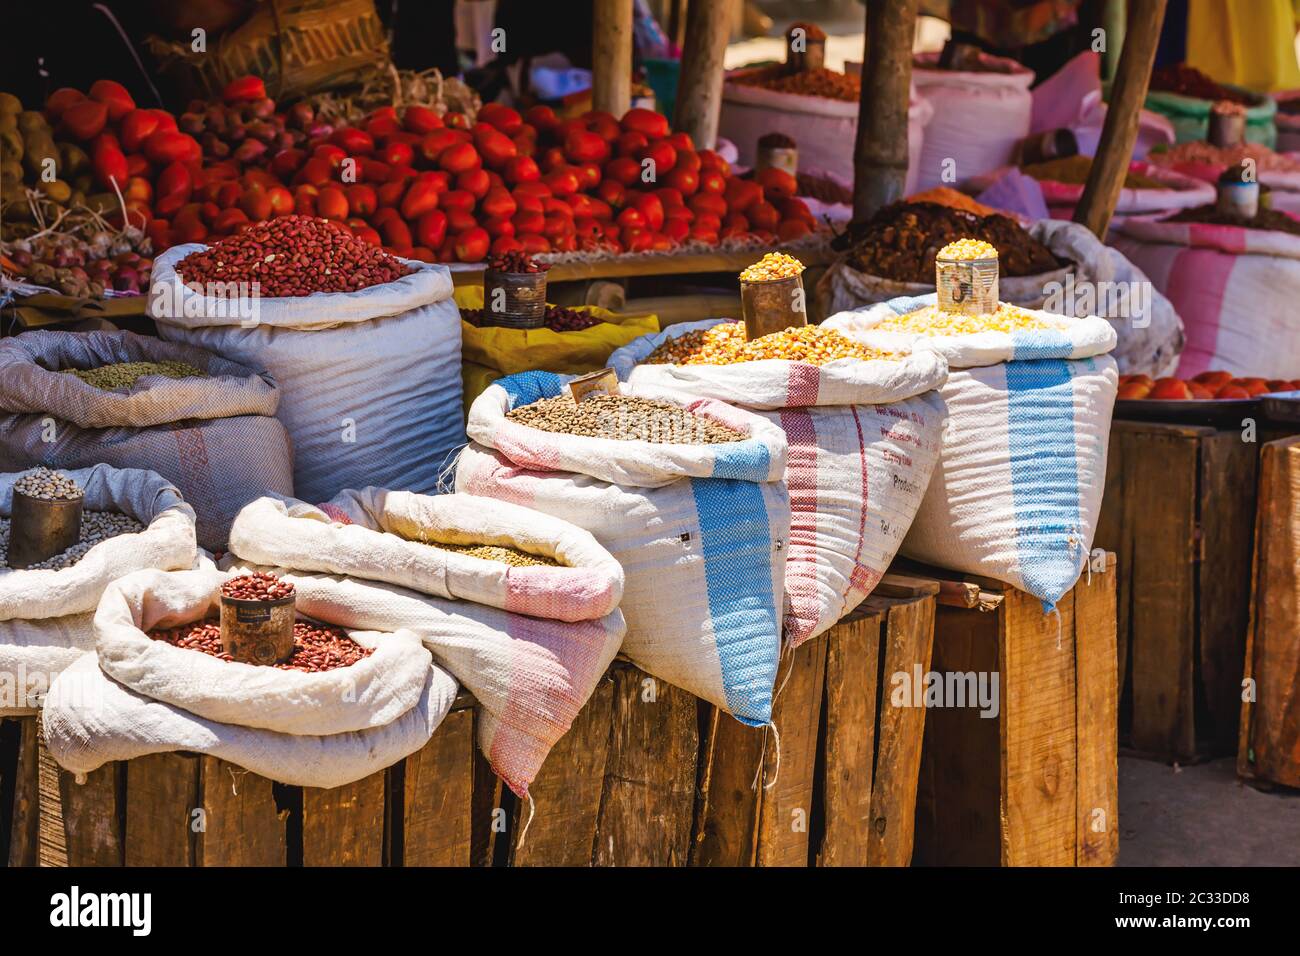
[[839, 785]]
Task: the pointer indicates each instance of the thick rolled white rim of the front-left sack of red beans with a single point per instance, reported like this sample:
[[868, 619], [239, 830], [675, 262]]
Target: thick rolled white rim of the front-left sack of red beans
[[372, 693]]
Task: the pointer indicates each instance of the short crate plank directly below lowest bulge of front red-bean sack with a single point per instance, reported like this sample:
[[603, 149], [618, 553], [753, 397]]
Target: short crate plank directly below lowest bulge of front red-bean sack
[[344, 827]]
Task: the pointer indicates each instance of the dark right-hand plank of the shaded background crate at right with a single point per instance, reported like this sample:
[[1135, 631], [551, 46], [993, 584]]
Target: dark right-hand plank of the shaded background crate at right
[[1228, 498]]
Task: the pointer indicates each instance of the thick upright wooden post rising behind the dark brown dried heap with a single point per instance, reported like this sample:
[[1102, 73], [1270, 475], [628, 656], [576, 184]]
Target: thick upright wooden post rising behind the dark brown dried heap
[[881, 153]]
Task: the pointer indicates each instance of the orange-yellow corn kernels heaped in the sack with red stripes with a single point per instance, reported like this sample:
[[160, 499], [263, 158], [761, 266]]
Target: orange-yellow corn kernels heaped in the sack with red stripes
[[726, 345]]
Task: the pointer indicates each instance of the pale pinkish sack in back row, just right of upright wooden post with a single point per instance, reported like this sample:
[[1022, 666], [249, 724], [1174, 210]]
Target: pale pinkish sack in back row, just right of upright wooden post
[[980, 116]]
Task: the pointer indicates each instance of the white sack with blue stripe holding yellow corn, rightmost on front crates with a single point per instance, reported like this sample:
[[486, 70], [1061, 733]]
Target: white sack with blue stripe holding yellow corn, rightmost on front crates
[[1029, 397]]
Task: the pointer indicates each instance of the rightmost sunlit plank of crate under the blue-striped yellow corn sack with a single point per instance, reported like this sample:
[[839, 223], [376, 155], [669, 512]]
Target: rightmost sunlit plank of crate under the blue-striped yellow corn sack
[[1097, 690]]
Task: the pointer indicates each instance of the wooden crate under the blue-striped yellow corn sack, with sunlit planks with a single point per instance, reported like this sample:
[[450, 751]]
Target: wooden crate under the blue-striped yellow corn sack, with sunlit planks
[[1037, 786]]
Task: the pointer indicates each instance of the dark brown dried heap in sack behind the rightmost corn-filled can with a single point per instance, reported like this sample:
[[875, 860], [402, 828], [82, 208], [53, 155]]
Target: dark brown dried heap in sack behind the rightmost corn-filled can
[[900, 243]]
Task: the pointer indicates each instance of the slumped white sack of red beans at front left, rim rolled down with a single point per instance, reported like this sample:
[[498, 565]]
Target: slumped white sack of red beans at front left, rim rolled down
[[352, 699]]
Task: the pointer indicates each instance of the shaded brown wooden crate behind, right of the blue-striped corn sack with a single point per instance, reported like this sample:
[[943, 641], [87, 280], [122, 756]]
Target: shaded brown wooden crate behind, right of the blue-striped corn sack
[[1180, 512]]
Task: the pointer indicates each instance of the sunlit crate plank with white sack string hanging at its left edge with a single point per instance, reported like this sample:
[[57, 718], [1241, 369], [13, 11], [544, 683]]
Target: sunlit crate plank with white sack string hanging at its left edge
[[790, 762]]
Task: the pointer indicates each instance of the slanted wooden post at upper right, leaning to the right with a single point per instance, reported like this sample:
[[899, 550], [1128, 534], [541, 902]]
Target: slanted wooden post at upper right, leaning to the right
[[1120, 132]]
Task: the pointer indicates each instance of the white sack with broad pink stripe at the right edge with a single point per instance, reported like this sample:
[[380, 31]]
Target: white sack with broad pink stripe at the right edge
[[1234, 289]]
